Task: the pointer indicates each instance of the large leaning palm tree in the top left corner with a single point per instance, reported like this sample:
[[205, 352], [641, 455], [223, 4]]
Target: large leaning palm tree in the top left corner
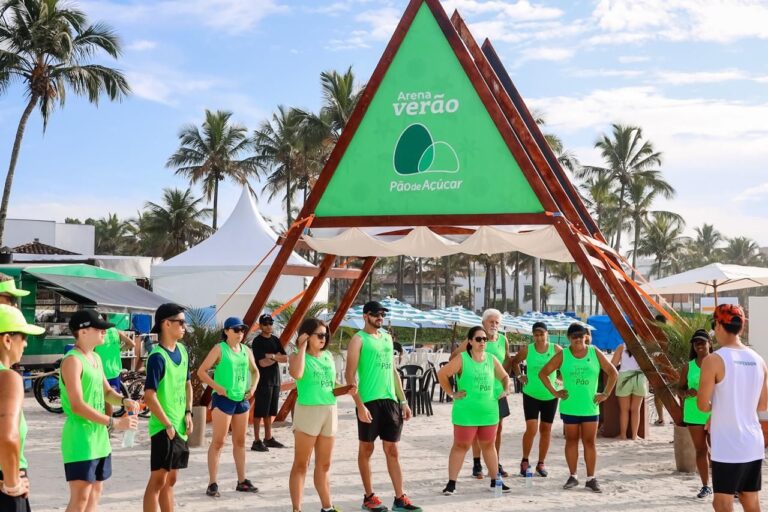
[[46, 45]]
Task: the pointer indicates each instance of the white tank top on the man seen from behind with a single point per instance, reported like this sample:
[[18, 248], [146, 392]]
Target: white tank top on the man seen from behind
[[735, 430]]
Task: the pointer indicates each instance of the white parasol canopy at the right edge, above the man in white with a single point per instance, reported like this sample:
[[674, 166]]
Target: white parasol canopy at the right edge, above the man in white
[[710, 278]]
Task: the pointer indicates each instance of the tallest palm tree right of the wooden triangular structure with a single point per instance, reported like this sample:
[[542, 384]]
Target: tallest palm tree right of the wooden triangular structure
[[628, 158]]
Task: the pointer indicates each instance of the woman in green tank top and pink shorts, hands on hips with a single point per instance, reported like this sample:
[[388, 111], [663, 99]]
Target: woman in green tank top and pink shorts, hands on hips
[[475, 411]]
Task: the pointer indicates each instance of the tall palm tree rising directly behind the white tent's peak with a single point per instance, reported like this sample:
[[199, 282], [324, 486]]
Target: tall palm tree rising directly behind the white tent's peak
[[213, 155]]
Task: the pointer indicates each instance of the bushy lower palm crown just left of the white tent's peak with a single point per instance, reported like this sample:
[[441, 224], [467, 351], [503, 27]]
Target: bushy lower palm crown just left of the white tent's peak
[[180, 219]]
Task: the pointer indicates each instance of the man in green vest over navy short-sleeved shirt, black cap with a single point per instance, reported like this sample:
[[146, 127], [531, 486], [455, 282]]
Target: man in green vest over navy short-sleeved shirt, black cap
[[168, 394]]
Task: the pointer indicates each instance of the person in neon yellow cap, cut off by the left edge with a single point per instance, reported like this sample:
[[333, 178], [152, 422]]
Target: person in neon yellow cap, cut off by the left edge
[[14, 486]]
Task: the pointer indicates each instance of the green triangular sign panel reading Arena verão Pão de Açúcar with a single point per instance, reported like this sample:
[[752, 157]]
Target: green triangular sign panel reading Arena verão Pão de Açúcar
[[426, 144]]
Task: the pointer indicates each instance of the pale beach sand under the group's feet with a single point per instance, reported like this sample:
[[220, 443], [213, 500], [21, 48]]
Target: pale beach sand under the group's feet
[[634, 476]]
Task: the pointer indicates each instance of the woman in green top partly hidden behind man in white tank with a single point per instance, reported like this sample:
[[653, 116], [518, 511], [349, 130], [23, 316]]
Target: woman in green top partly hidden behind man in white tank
[[694, 418]]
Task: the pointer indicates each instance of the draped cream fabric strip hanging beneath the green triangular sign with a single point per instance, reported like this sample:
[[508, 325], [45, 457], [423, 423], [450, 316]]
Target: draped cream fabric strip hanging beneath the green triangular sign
[[421, 242]]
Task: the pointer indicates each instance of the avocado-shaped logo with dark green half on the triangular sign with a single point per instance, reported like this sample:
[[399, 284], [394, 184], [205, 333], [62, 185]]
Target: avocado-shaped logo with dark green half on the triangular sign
[[416, 152]]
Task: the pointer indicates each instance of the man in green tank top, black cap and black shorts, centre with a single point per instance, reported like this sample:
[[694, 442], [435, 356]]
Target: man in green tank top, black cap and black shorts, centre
[[381, 405]]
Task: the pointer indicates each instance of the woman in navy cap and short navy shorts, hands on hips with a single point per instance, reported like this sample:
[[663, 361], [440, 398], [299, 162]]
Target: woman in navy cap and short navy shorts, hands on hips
[[234, 383]]
